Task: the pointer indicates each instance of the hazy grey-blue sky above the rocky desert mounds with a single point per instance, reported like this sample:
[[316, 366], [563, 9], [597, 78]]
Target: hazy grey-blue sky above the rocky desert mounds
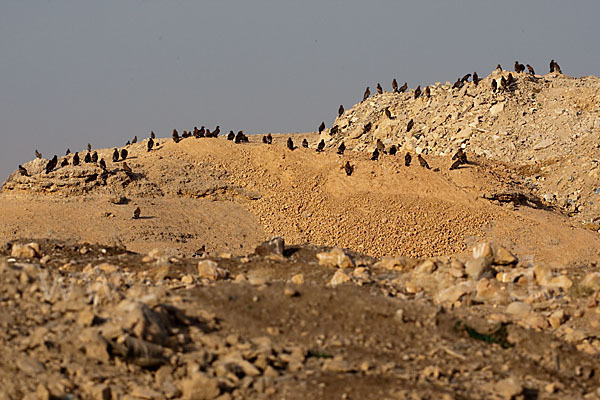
[[79, 71]]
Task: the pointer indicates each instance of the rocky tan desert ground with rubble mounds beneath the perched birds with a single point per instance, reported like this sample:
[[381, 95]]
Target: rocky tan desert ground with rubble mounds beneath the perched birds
[[257, 271]]
